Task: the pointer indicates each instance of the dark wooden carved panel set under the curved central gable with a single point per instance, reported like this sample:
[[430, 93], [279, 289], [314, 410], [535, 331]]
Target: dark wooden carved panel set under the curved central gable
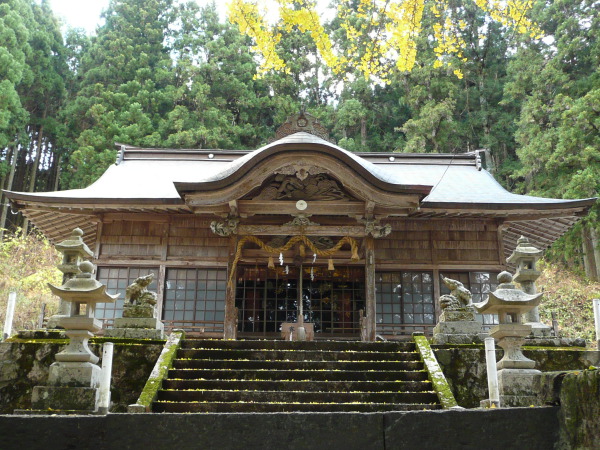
[[311, 188]]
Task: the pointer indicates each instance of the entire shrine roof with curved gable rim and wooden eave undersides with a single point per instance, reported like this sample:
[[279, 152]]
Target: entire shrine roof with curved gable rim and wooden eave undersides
[[154, 179]]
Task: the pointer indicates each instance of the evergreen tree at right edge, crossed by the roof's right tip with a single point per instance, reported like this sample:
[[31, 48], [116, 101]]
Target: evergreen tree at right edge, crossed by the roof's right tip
[[558, 131]]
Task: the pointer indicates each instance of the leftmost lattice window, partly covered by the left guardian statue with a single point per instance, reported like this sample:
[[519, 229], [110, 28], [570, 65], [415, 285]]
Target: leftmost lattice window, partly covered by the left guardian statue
[[116, 280]]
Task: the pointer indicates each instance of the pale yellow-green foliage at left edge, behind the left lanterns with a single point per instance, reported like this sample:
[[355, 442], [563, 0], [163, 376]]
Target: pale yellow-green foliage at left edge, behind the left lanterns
[[27, 264]]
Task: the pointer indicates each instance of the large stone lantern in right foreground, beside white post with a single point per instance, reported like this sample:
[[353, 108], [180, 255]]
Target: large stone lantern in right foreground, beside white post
[[516, 372]]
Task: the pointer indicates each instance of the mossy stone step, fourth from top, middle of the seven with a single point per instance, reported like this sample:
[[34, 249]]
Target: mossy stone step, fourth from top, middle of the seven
[[300, 375]]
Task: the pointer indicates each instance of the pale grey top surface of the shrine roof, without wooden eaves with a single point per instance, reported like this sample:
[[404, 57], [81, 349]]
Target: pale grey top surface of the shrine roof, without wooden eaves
[[151, 176]]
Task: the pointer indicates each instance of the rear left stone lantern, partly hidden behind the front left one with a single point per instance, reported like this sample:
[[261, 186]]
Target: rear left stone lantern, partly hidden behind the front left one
[[74, 252]]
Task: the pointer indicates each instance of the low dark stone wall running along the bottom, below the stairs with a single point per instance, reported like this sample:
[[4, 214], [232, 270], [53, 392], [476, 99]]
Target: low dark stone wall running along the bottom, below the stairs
[[526, 428]]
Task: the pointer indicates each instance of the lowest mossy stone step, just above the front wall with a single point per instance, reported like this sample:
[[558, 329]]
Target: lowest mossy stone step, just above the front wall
[[234, 407]]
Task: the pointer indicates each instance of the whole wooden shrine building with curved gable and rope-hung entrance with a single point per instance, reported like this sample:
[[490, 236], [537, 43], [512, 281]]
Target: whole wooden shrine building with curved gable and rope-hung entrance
[[236, 238]]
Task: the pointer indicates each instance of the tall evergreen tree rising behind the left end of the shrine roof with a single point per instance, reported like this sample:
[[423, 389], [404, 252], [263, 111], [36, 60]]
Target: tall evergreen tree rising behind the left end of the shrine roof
[[126, 87]]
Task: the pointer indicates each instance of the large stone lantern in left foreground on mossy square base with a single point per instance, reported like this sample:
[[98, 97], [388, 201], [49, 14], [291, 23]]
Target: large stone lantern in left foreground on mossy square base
[[74, 377]]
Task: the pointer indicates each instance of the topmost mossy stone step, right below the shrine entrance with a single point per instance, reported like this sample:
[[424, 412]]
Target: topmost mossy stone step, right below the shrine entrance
[[295, 345]]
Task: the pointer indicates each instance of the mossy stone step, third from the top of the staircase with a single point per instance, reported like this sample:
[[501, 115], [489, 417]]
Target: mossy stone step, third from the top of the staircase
[[296, 365]]
